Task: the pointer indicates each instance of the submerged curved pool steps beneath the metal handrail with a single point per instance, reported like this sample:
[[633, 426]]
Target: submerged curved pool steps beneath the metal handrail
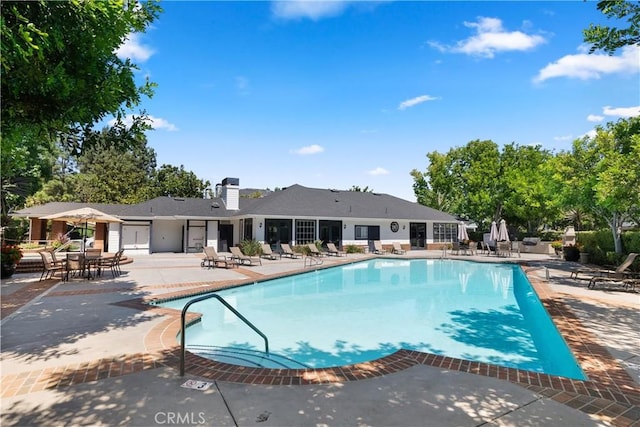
[[245, 357]]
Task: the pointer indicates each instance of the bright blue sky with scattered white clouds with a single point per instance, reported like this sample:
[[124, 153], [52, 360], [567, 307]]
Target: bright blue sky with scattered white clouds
[[335, 94]]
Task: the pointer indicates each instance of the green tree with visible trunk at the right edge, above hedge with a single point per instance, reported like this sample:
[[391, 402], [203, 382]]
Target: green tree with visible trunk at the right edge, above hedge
[[601, 175]]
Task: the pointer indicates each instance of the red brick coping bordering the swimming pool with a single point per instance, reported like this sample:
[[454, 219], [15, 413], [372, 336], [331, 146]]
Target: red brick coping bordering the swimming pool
[[609, 390]]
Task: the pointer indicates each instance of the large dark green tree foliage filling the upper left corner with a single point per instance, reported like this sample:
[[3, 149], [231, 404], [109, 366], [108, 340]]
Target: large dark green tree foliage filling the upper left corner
[[60, 71]]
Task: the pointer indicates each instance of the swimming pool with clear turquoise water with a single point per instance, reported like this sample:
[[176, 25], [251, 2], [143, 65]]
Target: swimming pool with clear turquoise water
[[370, 309]]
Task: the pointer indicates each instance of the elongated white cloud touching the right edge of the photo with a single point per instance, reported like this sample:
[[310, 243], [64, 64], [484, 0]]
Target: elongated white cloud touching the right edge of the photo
[[587, 66]]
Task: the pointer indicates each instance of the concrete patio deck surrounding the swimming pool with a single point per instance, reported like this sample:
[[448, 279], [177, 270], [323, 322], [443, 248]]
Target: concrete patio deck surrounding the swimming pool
[[81, 353]]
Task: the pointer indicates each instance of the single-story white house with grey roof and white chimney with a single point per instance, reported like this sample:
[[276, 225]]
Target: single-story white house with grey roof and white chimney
[[295, 215]]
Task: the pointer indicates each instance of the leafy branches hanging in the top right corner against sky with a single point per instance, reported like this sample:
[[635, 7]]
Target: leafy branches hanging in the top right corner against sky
[[610, 39]]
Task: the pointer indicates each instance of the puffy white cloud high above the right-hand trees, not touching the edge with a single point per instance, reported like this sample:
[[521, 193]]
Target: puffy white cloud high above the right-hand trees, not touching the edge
[[490, 39]]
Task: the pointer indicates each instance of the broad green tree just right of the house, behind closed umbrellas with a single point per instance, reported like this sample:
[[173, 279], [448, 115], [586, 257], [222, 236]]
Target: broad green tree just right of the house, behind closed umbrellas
[[484, 184]]
